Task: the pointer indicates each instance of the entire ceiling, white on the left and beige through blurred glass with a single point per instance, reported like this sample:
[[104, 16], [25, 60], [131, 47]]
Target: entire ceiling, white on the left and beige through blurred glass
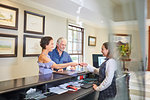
[[94, 11]]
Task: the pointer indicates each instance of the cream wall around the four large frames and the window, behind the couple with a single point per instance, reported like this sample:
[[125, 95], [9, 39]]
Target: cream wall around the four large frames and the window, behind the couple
[[56, 27]]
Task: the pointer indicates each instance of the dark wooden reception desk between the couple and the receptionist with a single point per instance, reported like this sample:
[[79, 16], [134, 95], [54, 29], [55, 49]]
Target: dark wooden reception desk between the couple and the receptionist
[[18, 89]]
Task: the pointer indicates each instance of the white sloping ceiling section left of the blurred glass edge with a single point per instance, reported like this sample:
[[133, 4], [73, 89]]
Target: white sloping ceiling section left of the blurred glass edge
[[88, 8]]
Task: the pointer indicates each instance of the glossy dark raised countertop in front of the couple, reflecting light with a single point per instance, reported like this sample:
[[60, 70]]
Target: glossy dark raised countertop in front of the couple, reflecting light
[[15, 84]]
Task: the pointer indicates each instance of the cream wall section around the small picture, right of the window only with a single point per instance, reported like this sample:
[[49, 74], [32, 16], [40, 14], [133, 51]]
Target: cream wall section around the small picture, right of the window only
[[101, 36]]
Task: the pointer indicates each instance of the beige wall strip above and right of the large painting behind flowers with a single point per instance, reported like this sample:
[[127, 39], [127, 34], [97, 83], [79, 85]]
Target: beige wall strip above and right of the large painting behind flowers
[[135, 39]]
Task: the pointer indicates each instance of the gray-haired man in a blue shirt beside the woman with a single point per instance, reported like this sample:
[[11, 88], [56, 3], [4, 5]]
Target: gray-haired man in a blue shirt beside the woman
[[58, 55]]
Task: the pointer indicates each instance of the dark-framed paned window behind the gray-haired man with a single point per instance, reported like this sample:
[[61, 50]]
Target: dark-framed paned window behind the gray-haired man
[[75, 43]]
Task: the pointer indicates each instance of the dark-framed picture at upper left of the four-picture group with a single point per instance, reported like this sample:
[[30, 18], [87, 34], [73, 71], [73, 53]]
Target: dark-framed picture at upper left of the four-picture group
[[8, 17]]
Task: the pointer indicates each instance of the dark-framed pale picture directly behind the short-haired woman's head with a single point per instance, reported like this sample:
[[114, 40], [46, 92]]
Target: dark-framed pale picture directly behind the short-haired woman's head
[[31, 46]]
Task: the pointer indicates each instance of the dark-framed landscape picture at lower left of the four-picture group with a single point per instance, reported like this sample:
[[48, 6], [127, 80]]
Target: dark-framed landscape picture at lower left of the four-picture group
[[8, 45]]
